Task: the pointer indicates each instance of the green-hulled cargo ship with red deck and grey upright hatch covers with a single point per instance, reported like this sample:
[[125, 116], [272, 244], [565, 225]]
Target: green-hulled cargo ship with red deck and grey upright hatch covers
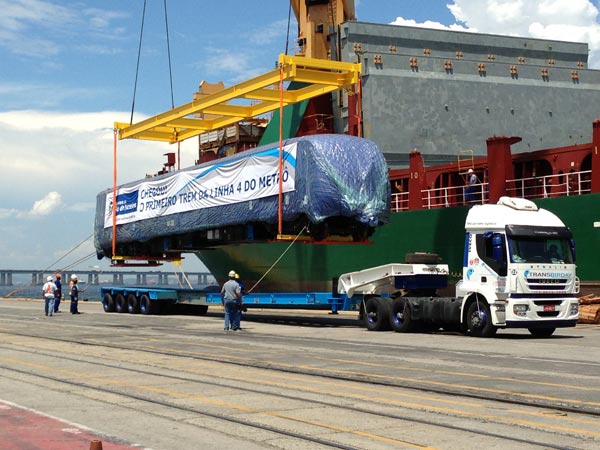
[[518, 113]]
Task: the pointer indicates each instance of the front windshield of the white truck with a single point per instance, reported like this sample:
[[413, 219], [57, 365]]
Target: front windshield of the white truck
[[536, 250]]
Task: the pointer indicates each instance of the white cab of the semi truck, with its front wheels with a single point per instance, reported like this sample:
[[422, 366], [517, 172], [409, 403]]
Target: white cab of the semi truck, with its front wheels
[[518, 270]]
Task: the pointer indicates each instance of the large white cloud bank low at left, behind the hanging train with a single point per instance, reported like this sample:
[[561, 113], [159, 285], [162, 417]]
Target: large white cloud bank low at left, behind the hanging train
[[54, 164]]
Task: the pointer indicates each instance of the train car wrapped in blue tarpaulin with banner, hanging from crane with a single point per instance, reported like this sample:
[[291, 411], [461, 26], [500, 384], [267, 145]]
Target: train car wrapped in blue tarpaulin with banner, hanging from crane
[[325, 176]]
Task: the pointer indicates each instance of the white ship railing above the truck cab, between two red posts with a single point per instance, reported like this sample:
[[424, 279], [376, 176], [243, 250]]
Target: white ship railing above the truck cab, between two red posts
[[573, 183]]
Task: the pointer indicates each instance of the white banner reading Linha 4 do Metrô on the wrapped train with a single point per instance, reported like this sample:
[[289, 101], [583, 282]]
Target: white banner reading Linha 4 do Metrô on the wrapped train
[[248, 178]]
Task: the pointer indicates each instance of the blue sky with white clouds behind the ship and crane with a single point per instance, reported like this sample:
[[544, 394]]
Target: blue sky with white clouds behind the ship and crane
[[67, 73]]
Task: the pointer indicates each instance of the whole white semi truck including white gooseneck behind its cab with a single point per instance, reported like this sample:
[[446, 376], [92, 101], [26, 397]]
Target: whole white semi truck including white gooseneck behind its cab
[[518, 272]]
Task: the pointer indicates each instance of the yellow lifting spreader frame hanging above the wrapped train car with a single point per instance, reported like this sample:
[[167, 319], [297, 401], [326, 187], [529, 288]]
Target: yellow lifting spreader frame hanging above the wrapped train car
[[262, 94]]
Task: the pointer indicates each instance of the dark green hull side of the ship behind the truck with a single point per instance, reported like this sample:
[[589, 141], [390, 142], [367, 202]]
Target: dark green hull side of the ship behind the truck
[[312, 267]]
